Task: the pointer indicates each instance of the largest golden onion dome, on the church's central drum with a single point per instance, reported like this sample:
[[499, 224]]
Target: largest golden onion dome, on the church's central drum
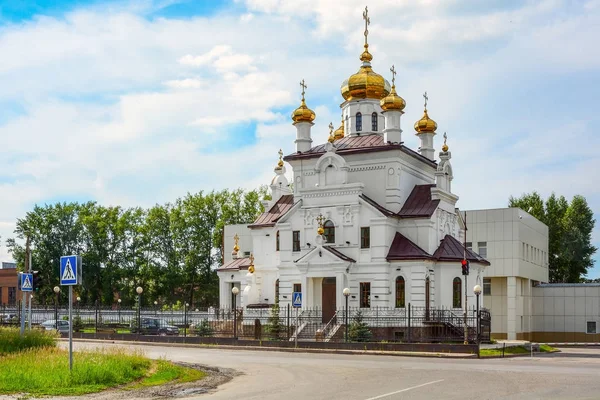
[[365, 84]]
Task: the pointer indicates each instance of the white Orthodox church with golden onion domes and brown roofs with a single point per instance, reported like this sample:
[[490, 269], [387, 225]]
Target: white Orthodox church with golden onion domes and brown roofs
[[364, 212]]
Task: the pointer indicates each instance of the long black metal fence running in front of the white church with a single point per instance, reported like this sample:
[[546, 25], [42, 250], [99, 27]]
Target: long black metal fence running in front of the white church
[[408, 325]]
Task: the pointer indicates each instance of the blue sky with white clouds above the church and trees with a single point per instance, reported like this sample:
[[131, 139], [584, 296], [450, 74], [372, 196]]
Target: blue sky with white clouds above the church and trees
[[140, 102]]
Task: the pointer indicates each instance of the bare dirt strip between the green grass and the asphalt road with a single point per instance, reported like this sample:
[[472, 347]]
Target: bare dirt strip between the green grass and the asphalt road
[[214, 378]]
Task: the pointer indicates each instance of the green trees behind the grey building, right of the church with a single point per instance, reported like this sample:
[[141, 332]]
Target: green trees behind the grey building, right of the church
[[570, 227]]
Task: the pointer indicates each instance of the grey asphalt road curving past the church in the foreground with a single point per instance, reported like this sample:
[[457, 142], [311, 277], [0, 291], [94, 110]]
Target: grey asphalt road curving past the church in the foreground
[[572, 374]]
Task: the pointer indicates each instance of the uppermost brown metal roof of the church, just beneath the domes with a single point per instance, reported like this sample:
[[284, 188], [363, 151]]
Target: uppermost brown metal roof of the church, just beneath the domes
[[360, 144]]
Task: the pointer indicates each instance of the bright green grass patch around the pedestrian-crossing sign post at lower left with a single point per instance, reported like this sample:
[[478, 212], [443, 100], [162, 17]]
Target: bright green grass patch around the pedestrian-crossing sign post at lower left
[[46, 371]]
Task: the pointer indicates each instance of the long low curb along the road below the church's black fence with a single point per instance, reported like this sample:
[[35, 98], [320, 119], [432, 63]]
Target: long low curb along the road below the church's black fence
[[284, 349]]
